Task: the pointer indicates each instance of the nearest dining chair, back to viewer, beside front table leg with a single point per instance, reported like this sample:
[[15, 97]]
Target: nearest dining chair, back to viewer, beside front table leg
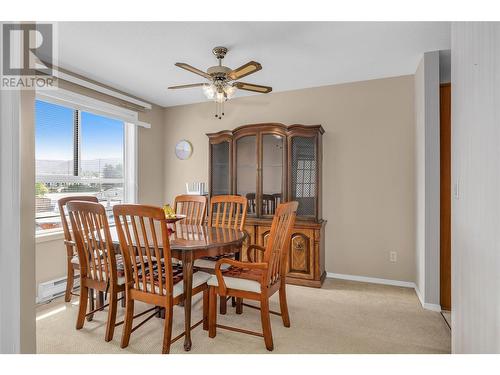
[[150, 276]]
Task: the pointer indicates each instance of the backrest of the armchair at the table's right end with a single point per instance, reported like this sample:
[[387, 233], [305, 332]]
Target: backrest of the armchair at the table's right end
[[276, 251]]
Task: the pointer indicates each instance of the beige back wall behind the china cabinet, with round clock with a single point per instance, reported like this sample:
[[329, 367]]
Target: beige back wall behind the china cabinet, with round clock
[[368, 186]]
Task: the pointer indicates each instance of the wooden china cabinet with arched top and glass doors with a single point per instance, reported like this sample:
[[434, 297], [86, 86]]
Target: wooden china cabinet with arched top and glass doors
[[269, 164]]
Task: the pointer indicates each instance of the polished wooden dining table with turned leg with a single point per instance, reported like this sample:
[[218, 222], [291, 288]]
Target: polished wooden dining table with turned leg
[[191, 242]]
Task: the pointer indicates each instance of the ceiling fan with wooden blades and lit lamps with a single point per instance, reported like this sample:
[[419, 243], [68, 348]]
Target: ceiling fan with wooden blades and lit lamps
[[222, 80]]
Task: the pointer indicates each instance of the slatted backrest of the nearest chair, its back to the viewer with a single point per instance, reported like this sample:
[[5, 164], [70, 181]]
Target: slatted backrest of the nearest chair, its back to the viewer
[[143, 234]]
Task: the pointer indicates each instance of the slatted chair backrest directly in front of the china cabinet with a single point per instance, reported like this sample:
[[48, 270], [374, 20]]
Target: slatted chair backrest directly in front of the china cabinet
[[230, 211]]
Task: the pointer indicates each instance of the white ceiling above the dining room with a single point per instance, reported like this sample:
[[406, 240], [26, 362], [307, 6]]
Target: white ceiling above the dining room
[[139, 57]]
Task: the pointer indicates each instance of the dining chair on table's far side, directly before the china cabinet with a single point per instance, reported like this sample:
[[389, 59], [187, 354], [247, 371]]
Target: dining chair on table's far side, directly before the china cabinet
[[226, 211]]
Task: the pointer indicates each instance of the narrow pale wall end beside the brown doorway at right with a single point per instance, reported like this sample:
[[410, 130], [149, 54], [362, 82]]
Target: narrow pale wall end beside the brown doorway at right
[[427, 158]]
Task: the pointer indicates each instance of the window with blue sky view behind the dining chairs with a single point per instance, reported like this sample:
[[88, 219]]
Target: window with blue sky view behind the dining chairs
[[79, 153]]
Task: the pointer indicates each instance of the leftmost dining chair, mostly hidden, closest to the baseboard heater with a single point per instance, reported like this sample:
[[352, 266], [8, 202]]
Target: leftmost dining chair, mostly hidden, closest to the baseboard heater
[[71, 252]]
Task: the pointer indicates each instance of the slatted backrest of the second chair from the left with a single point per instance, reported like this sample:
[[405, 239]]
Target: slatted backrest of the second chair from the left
[[96, 253]]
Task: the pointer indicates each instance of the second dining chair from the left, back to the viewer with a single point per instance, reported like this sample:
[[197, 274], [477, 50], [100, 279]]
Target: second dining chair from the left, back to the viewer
[[97, 259]]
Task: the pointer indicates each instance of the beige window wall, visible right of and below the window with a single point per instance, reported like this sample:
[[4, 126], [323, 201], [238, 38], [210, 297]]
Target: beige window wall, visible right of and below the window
[[50, 255]]
